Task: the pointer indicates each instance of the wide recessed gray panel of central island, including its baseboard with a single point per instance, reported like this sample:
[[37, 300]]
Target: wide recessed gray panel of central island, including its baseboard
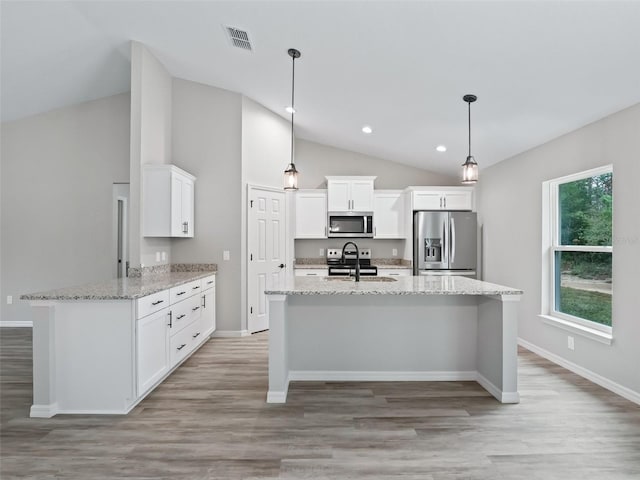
[[382, 337]]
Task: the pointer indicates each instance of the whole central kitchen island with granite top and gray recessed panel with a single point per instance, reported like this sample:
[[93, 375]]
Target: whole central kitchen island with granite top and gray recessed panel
[[381, 329]]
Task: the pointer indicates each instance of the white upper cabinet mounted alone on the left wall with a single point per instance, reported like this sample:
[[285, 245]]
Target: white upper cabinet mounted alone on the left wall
[[167, 202]]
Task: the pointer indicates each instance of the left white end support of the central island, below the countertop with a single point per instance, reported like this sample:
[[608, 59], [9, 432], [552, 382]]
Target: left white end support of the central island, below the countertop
[[278, 351]]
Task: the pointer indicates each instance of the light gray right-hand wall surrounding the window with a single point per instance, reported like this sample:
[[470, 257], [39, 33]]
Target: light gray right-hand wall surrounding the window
[[510, 204]]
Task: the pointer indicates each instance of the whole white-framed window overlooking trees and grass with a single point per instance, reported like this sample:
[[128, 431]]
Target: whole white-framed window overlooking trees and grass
[[579, 249]]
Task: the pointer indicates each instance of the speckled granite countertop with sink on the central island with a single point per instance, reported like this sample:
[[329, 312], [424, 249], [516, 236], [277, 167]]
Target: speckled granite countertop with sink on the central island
[[424, 285]]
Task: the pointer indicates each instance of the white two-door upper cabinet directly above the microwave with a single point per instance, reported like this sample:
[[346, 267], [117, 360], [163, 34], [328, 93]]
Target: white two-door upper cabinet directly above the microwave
[[350, 194]]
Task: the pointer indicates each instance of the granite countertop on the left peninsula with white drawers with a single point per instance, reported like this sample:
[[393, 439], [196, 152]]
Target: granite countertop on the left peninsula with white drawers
[[125, 288]]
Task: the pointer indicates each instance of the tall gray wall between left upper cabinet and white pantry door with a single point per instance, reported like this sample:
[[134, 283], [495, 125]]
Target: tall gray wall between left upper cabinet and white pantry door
[[207, 143]]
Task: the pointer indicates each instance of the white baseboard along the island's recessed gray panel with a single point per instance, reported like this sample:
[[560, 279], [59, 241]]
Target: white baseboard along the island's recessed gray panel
[[370, 376]]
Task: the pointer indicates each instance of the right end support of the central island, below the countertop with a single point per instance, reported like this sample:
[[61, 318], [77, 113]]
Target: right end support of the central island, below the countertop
[[497, 348]]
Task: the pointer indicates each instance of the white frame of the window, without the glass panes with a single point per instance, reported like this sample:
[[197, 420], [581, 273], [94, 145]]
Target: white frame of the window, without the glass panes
[[551, 245]]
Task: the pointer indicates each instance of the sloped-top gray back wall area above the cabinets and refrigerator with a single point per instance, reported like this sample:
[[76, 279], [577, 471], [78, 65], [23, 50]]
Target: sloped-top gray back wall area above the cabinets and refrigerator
[[315, 161]]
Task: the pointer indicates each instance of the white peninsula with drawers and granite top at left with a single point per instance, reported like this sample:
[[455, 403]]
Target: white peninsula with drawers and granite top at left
[[101, 348]]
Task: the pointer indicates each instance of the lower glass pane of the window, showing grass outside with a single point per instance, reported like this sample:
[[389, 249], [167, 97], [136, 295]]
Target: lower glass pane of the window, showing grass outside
[[583, 285]]
